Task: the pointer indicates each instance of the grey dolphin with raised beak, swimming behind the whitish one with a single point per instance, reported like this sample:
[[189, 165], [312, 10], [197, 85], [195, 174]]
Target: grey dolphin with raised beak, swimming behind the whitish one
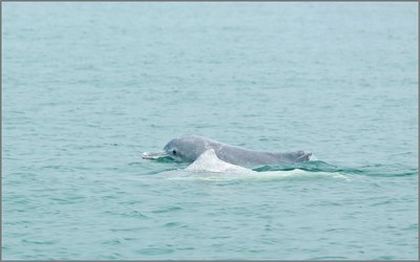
[[189, 148]]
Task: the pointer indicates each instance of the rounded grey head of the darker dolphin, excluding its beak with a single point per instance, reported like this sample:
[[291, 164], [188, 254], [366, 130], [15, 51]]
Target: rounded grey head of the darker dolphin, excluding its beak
[[186, 149]]
